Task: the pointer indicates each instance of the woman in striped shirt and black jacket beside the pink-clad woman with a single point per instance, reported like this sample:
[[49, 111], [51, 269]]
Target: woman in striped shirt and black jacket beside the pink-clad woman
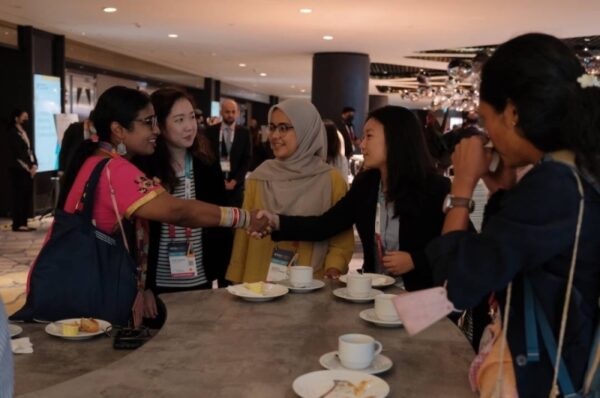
[[187, 170]]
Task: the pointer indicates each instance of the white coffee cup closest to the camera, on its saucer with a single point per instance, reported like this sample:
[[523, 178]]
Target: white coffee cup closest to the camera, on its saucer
[[357, 351]]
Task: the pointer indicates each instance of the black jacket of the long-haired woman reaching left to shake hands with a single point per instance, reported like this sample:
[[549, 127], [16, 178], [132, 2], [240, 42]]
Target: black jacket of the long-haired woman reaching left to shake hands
[[418, 225]]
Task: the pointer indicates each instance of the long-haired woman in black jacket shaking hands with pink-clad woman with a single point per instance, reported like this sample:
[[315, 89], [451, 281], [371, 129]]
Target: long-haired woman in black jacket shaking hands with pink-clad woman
[[399, 186]]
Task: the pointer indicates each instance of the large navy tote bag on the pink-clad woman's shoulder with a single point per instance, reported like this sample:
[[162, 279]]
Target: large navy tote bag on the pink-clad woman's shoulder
[[81, 271]]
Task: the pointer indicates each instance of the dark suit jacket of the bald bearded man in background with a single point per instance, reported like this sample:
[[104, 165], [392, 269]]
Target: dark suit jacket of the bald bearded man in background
[[240, 154]]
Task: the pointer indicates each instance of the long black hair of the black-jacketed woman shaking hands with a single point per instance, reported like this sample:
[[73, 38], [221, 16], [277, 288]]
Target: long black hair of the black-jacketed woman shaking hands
[[408, 161]]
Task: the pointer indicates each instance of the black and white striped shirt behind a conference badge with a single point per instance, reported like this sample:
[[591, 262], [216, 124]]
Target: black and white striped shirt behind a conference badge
[[163, 269]]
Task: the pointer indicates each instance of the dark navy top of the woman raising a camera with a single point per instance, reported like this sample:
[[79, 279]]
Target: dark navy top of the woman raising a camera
[[532, 234]]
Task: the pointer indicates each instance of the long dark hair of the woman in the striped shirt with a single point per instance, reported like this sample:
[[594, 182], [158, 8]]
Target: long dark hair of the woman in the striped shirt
[[159, 163]]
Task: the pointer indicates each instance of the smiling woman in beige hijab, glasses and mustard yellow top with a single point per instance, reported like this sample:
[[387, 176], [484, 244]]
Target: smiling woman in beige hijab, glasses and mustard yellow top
[[298, 182]]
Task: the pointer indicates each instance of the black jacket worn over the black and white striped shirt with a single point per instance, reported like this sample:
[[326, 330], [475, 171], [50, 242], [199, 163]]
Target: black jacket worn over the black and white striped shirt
[[216, 242]]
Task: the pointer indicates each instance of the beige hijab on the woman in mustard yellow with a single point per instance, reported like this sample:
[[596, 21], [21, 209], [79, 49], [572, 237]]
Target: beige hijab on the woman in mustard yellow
[[301, 184]]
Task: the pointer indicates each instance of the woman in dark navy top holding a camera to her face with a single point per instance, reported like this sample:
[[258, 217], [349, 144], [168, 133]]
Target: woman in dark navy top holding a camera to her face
[[539, 107]]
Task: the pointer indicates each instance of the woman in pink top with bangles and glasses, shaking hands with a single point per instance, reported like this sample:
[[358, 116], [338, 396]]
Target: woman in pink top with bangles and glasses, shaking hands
[[125, 125]]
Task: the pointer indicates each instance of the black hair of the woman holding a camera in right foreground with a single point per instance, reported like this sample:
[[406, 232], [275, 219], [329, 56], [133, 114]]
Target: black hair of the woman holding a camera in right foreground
[[538, 73]]
